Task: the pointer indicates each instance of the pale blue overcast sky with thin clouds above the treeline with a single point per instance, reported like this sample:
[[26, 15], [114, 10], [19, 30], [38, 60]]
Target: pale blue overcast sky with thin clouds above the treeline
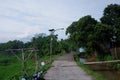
[[23, 18]]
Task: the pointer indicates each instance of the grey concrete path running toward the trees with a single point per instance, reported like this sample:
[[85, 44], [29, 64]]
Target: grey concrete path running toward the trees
[[65, 68]]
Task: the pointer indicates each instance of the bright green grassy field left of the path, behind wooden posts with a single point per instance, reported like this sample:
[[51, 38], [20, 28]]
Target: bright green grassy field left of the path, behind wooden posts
[[11, 68]]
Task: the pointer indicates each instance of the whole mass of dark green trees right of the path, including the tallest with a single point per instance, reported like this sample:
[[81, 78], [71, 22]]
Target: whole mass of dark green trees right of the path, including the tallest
[[97, 36]]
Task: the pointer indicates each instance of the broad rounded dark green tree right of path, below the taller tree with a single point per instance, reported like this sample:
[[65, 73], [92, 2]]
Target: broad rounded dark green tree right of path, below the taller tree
[[93, 35]]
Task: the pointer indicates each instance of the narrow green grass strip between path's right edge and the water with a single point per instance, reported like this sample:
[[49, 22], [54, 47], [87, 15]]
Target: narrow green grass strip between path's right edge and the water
[[96, 75]]
